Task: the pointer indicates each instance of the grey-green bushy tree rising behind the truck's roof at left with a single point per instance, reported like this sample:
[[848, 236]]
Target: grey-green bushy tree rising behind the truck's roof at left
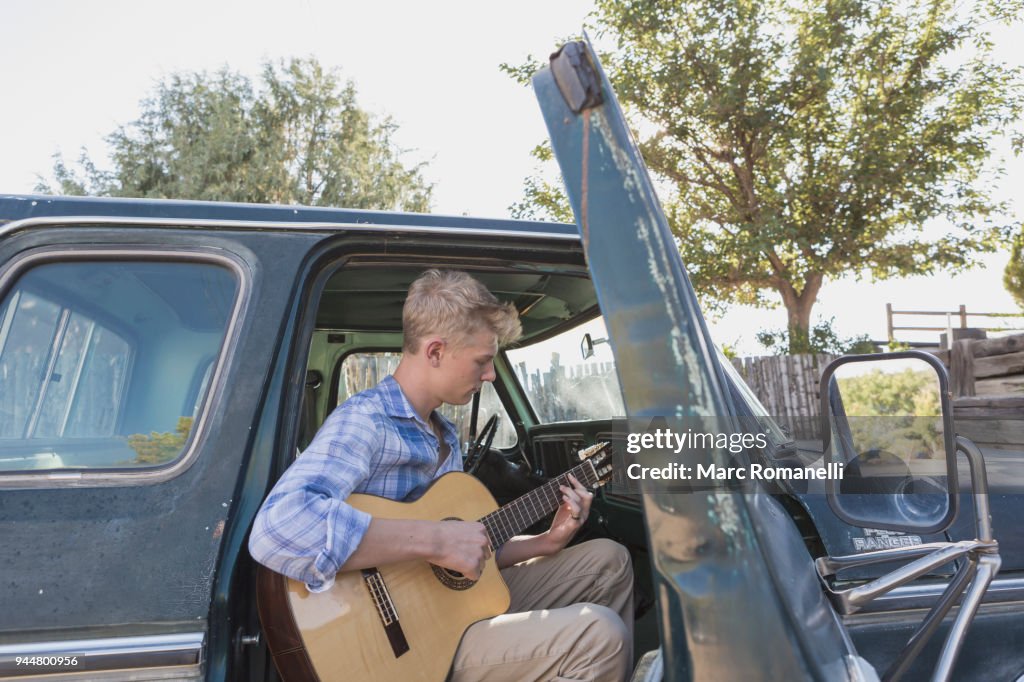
[[296, 137]]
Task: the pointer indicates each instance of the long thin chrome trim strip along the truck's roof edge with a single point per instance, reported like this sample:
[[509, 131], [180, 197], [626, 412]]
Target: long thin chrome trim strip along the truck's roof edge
[[277, 226]]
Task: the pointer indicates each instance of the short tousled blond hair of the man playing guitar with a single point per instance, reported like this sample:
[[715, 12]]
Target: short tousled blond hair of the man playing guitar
[[455, 307]]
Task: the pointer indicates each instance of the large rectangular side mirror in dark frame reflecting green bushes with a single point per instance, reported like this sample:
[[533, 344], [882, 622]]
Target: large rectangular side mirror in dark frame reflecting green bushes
[[887, 419]]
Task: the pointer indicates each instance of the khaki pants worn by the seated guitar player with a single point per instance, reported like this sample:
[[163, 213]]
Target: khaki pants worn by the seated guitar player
[[571, 619]]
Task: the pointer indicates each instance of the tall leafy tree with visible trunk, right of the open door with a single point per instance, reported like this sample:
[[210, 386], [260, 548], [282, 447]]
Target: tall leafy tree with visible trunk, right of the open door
[[803, 141]]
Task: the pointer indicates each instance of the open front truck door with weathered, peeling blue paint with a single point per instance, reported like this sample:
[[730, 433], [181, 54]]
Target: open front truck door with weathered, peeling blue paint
[[740, 596]]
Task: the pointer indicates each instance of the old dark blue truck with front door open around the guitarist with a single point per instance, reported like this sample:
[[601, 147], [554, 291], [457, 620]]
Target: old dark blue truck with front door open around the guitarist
[[163, 362]]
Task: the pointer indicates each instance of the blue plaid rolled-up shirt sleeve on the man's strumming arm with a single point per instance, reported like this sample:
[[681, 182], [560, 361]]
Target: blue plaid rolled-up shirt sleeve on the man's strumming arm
[[306, 530]]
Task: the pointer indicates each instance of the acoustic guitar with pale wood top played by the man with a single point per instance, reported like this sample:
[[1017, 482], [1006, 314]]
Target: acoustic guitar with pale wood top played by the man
[[405, 621]]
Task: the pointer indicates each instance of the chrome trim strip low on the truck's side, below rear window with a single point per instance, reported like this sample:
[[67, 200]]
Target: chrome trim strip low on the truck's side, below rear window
[[152, 657]]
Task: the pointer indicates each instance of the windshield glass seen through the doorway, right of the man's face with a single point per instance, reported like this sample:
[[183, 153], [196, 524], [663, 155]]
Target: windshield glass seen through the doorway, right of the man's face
[[562, 386]]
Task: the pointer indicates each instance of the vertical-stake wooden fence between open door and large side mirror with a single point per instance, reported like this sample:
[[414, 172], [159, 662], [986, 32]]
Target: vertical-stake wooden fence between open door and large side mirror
[[788, 387]]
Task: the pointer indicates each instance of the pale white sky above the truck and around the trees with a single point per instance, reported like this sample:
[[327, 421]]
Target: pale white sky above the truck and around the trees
[[74, 71]]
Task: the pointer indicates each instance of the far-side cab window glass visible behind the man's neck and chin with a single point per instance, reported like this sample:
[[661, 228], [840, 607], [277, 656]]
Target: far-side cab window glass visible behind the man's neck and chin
[[364, 370]]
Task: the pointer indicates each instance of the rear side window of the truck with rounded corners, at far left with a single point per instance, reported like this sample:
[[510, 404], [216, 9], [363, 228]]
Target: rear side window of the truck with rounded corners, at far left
[[98, 361]]
